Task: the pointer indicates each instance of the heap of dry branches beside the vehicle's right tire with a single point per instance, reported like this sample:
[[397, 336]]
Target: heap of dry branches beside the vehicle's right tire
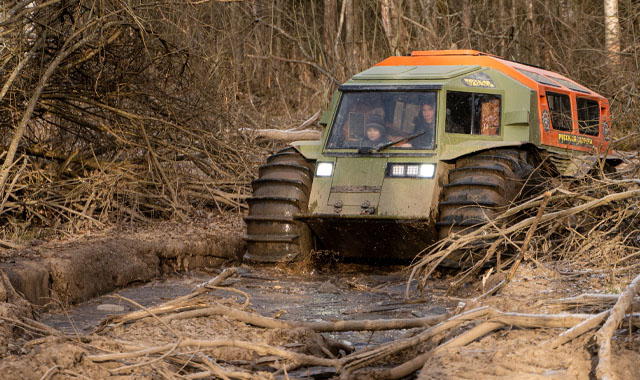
[[584, 227]]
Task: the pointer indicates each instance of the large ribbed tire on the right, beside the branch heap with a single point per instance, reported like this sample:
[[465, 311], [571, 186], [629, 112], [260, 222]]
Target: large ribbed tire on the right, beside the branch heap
[[480, 187]]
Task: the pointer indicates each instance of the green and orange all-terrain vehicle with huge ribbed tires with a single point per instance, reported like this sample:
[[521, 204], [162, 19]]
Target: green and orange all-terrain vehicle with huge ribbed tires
[[417, 147]]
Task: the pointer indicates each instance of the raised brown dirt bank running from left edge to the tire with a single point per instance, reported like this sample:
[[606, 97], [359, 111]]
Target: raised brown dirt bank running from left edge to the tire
[[72, 272]]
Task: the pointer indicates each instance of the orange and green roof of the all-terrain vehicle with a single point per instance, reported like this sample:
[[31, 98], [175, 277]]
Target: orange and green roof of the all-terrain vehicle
[[531, 76]]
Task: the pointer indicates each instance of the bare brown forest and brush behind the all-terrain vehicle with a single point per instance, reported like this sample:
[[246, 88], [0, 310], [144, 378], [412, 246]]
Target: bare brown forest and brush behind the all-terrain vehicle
[[121, 111]]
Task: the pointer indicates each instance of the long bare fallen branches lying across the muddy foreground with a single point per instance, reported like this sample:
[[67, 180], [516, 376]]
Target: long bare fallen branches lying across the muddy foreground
[[441, 333]]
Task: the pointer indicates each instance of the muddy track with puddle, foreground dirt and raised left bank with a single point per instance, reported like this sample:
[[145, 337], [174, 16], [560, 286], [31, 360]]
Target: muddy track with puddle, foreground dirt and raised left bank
[[338, 292]]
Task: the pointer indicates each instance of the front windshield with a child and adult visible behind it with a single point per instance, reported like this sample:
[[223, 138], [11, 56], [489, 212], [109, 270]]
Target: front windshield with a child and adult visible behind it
[[376, 118]]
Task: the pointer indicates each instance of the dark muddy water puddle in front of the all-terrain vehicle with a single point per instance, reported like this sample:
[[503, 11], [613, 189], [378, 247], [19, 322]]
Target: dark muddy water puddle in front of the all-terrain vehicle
[[348, 293]]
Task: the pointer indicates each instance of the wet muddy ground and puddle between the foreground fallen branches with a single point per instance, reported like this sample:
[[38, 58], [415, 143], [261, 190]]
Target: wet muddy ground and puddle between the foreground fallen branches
[[346, 293]]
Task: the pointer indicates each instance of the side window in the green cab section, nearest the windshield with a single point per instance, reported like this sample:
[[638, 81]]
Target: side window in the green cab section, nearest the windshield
[[473, 113]]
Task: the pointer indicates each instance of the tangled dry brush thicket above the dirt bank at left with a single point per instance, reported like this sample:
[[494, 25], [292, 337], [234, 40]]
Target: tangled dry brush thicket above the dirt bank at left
[[107, 114]]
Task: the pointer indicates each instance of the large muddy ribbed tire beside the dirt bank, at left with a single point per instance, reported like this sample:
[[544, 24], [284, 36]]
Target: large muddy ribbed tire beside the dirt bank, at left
[[280, 192]]
